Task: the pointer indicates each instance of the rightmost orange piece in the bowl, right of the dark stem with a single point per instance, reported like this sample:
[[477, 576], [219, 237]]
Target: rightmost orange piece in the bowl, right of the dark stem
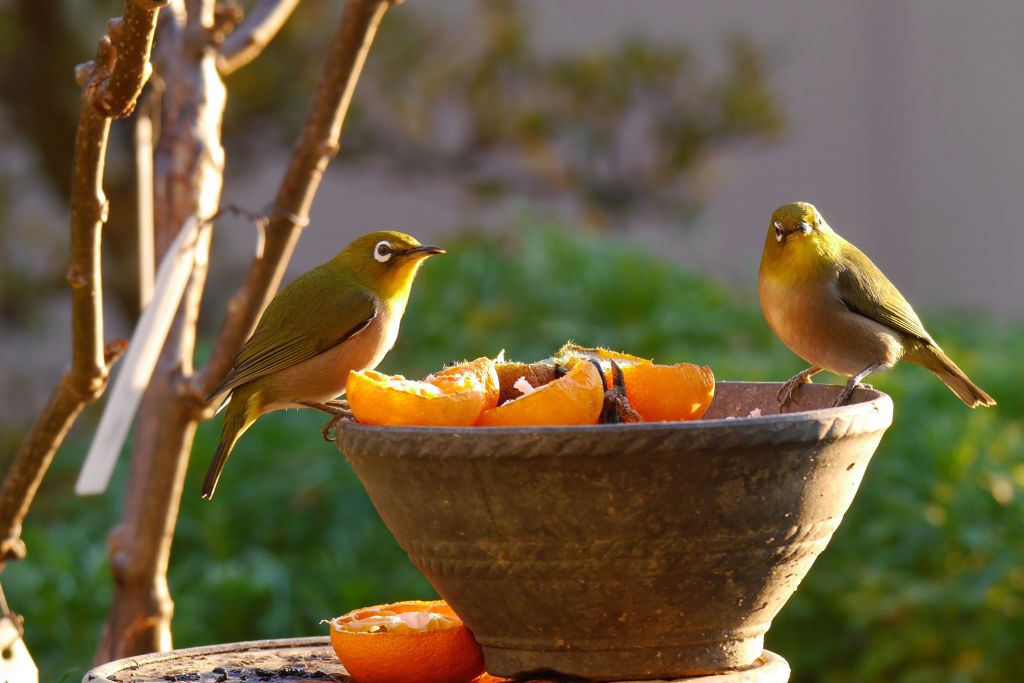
[[661, 394]]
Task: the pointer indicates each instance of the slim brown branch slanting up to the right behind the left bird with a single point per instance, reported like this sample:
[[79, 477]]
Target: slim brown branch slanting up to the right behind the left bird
[[317, 146]]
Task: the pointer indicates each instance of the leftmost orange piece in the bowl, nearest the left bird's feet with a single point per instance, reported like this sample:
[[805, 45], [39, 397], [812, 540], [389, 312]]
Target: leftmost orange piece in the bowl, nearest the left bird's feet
[[376, 399]]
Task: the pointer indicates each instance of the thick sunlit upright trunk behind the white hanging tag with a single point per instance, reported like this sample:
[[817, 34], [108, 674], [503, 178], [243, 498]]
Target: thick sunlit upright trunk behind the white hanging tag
[[189, 175]]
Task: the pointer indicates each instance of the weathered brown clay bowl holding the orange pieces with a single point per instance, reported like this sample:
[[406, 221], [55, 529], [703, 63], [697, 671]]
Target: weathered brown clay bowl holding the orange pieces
[[624, 551]]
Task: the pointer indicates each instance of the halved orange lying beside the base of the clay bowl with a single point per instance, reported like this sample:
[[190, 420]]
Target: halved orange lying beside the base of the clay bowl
[[407, 643]]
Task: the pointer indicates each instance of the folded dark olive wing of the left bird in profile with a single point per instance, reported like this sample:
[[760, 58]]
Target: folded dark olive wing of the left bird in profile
[[284, 337]]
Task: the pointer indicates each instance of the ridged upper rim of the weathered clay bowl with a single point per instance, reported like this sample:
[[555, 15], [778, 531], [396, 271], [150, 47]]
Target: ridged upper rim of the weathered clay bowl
[[870, 411]]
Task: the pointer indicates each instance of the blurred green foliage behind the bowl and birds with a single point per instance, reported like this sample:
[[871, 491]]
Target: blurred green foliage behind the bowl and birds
[[924, 583]]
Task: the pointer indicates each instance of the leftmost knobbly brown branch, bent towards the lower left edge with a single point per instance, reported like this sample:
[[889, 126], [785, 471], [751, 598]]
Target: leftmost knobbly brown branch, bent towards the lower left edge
[[110, 88]]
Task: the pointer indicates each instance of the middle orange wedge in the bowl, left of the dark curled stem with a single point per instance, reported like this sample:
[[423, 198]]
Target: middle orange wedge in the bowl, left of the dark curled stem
[[573, 400]]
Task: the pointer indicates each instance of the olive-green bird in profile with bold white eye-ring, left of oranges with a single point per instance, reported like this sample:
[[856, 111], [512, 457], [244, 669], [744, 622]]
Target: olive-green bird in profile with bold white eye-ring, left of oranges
[[340, 317]]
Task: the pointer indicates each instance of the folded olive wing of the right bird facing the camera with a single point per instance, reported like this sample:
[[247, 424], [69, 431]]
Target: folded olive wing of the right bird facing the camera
[[865, 290]]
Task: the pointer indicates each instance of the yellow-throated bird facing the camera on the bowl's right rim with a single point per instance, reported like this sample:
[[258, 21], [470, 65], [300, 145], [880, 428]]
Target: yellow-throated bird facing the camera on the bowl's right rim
[[836, 310]]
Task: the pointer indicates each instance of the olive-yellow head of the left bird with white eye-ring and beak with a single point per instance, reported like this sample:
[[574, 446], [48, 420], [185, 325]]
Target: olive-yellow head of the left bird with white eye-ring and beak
[[387, 262]]
